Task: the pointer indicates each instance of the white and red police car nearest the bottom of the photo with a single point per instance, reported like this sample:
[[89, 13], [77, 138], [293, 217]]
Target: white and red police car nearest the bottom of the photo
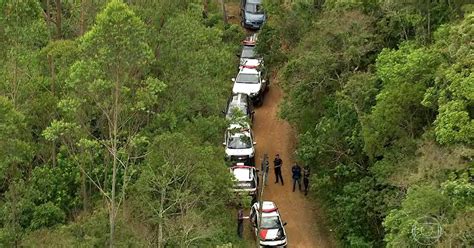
[[272, 231]]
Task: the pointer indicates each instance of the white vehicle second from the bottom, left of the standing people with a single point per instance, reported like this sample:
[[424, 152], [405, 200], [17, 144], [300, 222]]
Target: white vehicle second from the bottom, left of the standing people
[[246, 179]]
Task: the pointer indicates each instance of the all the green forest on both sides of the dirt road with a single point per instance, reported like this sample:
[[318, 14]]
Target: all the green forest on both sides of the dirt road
[[111, 123]]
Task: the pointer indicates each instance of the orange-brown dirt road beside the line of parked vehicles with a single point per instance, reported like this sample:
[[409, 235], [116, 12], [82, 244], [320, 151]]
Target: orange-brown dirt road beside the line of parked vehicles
[[273, 135]]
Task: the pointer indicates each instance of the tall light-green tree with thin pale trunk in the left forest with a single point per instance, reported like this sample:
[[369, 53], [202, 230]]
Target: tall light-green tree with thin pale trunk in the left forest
[[109, 96]]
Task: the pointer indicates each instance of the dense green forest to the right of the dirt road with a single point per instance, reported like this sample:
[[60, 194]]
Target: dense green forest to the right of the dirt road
[[381, 94]]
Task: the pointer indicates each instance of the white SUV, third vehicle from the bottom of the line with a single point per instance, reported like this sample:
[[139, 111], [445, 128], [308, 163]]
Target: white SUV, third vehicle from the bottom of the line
[[239, 144]]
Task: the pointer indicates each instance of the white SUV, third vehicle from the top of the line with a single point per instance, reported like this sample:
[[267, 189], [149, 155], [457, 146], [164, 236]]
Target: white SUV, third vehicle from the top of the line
[[249, 81]]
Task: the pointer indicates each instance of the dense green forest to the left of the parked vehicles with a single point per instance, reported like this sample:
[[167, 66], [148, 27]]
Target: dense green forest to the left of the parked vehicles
[[109, 116]]
